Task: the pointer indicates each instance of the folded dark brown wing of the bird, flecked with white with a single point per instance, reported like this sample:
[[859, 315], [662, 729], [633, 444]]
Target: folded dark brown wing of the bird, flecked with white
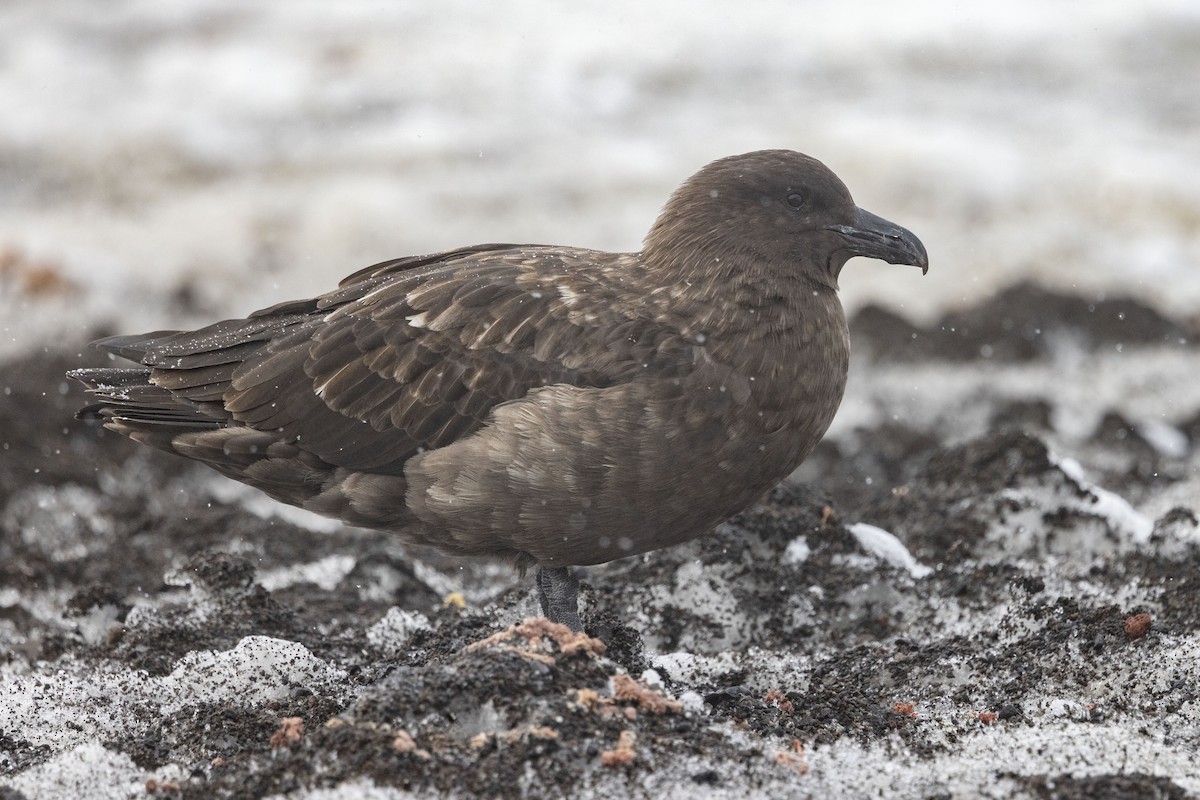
[[413, 354]]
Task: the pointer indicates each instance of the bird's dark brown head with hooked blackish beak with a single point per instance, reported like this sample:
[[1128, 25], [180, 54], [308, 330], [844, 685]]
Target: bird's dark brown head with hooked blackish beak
[[777, 209]]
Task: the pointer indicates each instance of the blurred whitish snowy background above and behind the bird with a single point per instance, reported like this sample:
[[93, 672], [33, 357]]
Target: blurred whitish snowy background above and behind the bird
[[255, 153]]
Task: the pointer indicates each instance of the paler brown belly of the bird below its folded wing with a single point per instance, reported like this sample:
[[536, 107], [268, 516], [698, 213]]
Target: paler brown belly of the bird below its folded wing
[[575, 477]]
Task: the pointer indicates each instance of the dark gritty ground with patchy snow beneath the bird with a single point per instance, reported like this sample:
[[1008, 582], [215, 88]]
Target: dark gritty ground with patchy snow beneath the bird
[[953, 598]]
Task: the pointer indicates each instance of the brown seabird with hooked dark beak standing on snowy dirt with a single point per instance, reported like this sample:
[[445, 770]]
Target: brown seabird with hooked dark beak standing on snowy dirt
[[553, 407]]
